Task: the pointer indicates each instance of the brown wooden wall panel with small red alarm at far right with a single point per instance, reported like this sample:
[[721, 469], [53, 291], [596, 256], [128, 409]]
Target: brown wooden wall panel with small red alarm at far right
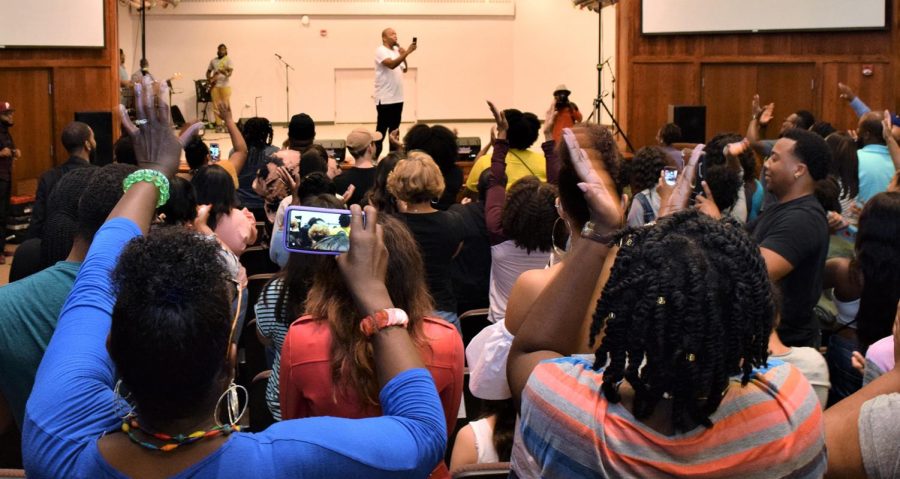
[[873, 90]]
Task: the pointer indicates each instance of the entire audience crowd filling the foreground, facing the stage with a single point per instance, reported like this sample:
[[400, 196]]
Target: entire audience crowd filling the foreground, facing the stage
[[741, 322]]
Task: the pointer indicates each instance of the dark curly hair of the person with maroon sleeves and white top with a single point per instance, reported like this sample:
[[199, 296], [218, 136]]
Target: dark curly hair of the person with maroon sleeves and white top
[[530, 213]]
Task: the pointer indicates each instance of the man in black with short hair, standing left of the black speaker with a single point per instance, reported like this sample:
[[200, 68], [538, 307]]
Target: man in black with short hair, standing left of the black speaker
[[78, 140]]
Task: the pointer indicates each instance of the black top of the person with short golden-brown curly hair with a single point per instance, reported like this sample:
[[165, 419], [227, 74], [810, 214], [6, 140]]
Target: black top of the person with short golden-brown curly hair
[[438, 235]]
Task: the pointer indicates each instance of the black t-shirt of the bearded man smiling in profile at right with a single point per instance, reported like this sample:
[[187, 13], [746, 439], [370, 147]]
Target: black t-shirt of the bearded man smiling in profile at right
[[798, 231]]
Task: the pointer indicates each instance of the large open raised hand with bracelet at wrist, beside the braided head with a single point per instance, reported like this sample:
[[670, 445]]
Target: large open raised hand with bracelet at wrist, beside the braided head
[[605, 207]]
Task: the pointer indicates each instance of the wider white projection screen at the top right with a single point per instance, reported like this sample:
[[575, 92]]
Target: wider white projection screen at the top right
[[660, 17]]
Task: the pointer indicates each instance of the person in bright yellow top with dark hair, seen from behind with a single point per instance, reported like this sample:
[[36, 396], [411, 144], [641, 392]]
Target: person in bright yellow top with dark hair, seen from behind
[[523, 132]]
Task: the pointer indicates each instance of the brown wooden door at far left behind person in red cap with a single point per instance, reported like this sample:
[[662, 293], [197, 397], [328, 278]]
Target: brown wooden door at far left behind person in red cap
[[29, 92]]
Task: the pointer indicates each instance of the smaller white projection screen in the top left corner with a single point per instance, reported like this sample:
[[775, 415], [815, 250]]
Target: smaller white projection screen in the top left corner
[[52, 23]]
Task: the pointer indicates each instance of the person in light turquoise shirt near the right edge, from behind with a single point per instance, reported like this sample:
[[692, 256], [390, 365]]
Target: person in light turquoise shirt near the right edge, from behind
[[875, 166]]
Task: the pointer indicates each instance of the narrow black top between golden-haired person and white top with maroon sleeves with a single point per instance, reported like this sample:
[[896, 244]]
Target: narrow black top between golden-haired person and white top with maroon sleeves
[[471, 269]]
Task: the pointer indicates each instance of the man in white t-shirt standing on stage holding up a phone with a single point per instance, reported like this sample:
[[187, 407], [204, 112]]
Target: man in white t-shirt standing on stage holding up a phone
[[390, 65]]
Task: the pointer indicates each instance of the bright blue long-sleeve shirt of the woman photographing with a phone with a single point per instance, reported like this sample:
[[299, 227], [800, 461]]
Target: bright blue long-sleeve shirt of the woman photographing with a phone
[[72, 406]]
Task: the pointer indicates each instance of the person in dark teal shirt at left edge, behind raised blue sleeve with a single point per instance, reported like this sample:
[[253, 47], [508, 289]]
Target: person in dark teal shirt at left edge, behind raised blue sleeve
[[29, 308]]
